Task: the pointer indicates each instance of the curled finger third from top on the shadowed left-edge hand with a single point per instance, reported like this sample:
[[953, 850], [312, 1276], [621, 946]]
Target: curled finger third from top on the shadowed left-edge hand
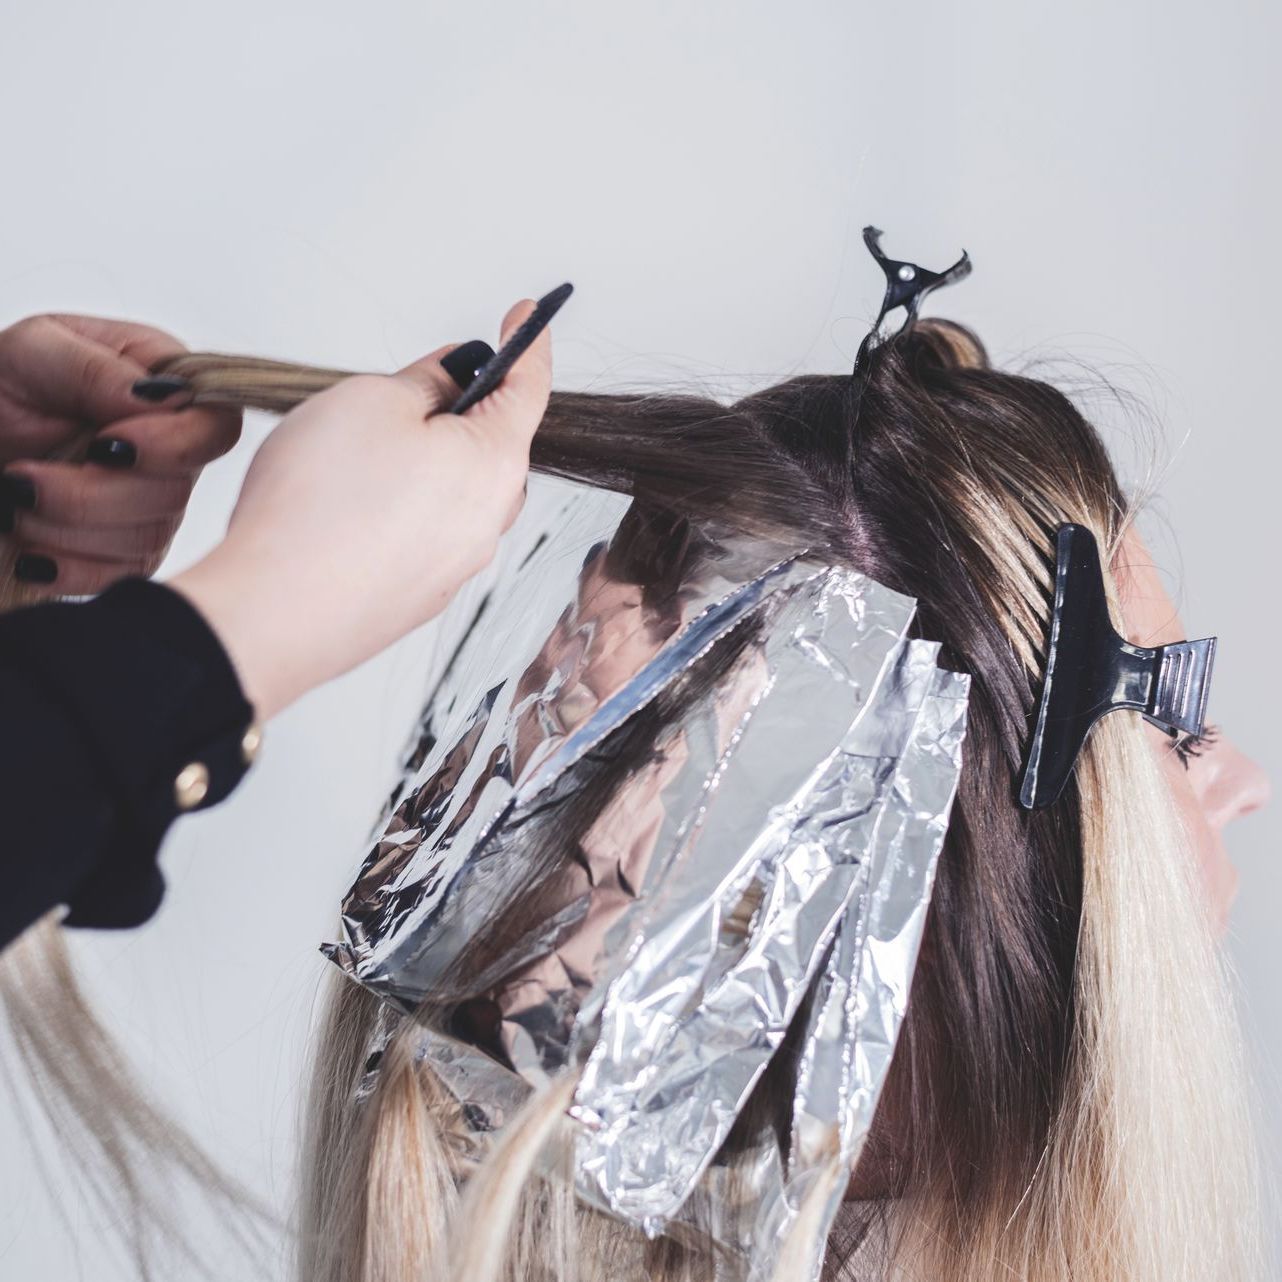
[[74, 494]]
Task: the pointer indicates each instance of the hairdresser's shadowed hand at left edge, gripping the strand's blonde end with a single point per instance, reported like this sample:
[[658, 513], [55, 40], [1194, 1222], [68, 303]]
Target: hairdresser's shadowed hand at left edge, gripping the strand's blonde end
[[112, 503]]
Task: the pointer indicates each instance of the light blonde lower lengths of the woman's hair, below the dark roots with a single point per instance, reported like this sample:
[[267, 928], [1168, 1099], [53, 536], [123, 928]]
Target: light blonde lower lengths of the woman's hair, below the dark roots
[[1148, 1172]]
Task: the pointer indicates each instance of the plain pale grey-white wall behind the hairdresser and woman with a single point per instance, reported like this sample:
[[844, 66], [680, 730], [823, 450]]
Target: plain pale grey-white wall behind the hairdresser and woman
[[354, 184]]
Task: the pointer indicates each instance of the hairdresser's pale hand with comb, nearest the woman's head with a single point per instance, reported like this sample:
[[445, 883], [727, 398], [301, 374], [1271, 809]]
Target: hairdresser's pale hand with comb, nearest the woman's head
[[362, 516]]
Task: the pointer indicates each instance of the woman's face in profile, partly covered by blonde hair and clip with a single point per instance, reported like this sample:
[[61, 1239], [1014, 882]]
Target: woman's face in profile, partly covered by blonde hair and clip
[[1212, 781]]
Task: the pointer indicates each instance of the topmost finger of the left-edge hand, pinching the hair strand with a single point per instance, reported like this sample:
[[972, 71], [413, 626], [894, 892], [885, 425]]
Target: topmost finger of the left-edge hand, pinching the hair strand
[[62, 369]]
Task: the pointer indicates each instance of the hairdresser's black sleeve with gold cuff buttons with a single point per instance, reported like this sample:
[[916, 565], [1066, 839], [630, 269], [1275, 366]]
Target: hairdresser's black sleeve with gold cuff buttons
[[116, 716]]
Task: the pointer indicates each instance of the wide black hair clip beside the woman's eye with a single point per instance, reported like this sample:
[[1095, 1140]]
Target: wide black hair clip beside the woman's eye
[[1092, 671]]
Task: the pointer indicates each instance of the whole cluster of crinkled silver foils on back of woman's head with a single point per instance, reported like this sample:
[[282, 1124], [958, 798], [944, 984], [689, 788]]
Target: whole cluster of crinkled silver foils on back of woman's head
[[742, 919]]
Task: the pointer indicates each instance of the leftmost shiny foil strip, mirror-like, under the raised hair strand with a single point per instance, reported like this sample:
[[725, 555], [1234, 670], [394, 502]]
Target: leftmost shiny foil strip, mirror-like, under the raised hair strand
[[554, 681]]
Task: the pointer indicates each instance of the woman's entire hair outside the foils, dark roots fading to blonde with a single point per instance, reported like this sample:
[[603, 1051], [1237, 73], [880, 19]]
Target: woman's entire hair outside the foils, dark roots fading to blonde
[[1135, 1160]]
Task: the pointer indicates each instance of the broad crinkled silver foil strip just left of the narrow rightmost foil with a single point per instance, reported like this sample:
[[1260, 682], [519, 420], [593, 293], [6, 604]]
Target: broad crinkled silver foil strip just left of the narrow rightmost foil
[[701, 1007]]
